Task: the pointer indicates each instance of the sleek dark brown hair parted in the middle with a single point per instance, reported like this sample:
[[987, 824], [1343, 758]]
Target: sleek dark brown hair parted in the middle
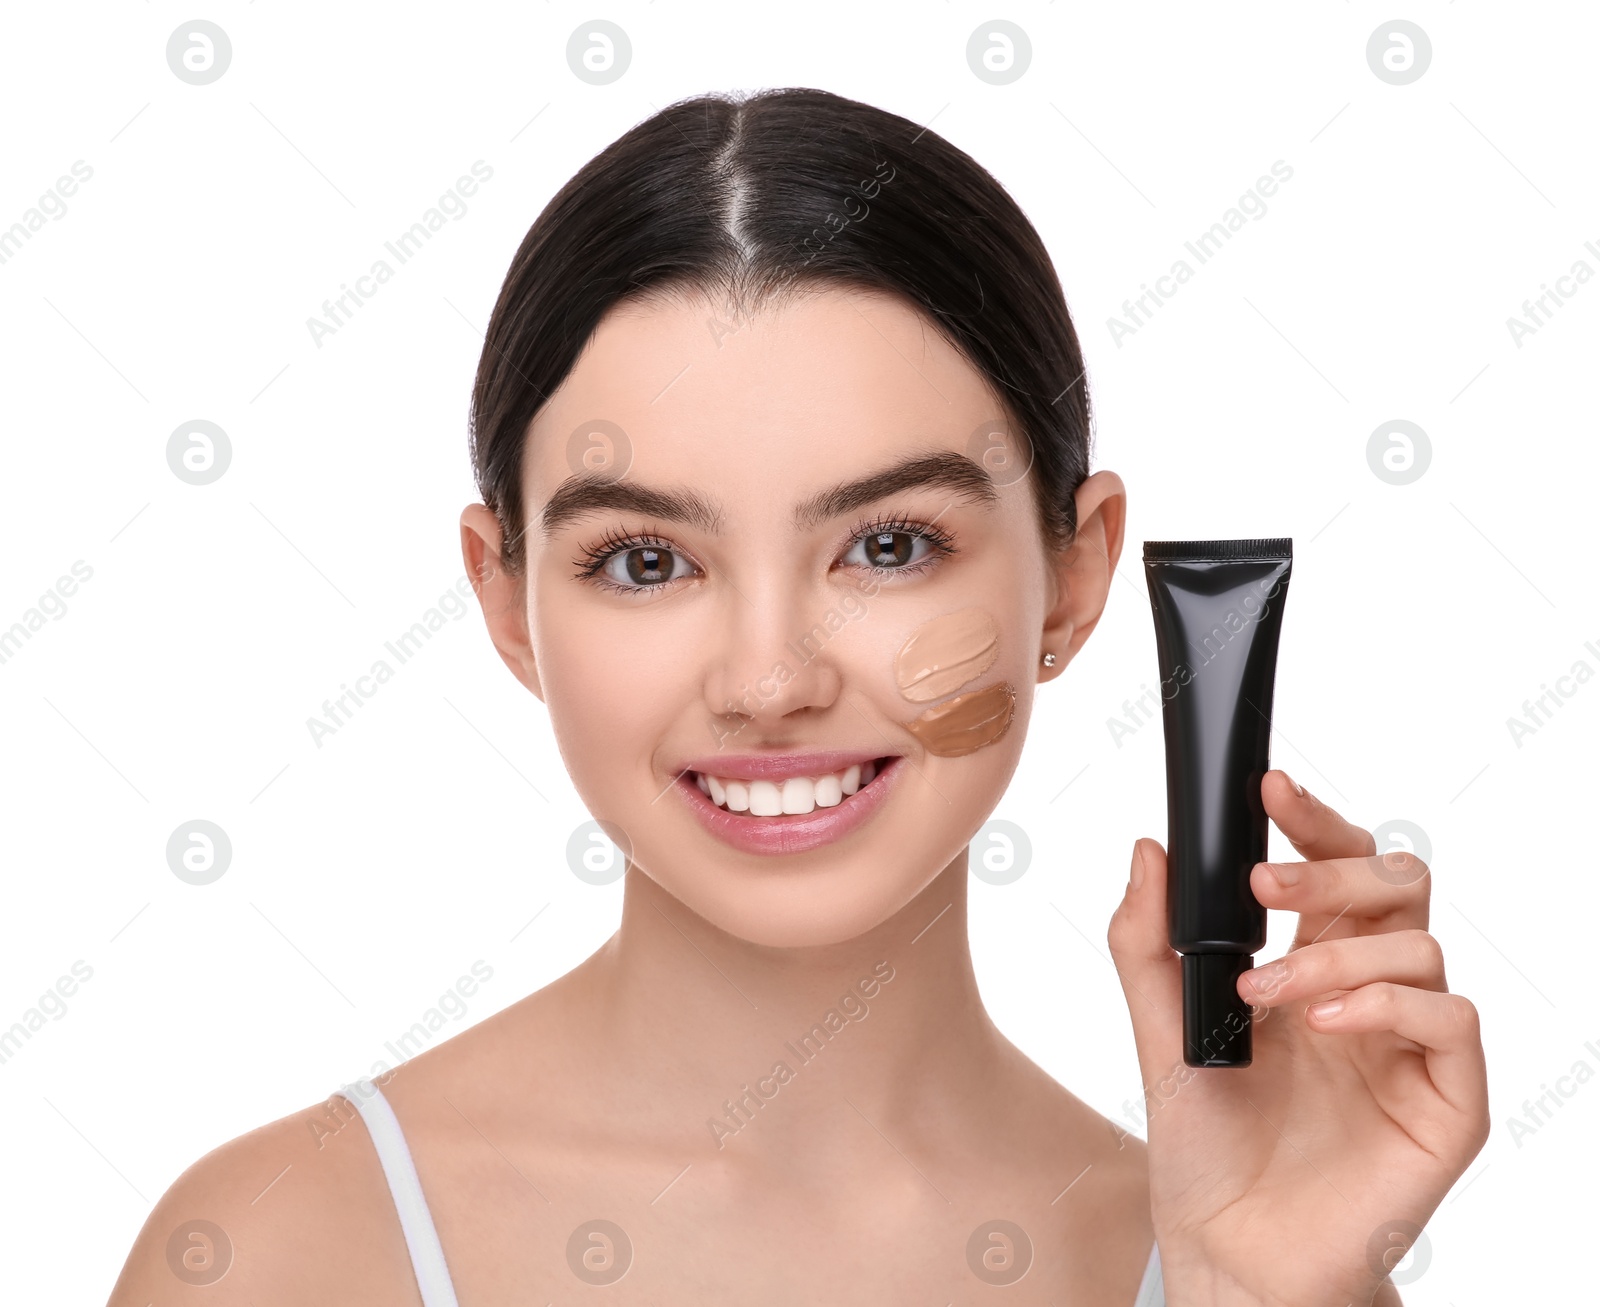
[[740, 198]]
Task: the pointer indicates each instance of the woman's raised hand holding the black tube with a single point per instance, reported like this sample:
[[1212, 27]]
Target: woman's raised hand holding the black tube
[[1303, 1178]]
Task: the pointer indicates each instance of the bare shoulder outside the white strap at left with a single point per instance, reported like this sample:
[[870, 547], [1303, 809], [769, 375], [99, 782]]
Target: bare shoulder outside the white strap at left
[[295, 1212]]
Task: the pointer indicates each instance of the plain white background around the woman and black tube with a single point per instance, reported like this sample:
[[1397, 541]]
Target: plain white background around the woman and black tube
[[369, 874]]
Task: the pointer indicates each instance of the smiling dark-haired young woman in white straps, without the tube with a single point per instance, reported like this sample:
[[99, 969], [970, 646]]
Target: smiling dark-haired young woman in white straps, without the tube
[[783, 442]]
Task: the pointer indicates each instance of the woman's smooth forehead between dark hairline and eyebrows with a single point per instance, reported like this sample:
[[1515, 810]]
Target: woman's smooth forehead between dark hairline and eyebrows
[[761, 406]]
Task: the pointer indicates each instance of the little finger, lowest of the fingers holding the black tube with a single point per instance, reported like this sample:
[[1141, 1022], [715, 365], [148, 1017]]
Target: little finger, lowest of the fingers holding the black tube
[[1444, 1025]]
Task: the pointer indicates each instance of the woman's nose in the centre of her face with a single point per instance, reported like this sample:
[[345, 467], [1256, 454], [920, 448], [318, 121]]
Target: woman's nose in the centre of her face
[[770, 660]]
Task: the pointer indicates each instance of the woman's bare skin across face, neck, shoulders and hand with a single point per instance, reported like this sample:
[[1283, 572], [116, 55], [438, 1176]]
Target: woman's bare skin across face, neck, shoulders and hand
[[865, 1177]]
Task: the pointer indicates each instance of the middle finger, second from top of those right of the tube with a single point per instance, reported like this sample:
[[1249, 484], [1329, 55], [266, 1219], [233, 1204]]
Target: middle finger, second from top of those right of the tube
[[1343, 897]]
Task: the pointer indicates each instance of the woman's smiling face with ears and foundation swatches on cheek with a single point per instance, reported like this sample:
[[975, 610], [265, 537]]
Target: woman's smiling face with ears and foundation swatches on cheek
[[713, 583]]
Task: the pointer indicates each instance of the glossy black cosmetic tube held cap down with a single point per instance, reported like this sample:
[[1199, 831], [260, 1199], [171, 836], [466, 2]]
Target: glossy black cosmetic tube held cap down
[[1218, 612]]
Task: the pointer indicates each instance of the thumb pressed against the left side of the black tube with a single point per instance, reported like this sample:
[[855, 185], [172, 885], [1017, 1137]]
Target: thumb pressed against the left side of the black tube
[[1148, 967]]
